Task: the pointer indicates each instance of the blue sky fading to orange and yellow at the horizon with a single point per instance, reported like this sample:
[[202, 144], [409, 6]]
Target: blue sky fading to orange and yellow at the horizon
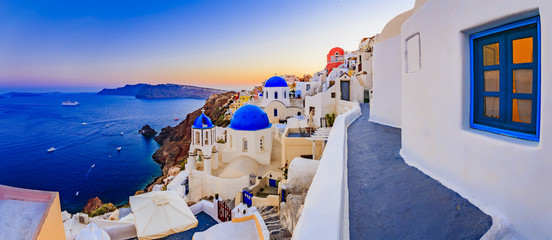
[[86, 45]]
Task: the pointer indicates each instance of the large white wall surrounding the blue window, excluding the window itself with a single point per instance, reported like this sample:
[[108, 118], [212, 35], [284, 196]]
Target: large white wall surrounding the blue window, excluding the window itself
[[507, 178]]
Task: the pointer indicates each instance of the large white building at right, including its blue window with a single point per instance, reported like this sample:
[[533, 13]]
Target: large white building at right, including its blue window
[[466, 82]]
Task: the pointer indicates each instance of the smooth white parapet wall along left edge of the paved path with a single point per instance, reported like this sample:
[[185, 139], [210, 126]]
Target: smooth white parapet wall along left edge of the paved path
[[325, 213]]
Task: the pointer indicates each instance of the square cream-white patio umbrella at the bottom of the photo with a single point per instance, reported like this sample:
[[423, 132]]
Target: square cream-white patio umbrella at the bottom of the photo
[[161, 213]]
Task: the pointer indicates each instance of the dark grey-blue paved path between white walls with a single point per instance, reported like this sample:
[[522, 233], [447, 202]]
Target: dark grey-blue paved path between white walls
[[390, 200]]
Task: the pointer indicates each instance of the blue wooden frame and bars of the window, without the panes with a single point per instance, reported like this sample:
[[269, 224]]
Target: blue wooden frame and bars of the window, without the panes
[[504, 127]]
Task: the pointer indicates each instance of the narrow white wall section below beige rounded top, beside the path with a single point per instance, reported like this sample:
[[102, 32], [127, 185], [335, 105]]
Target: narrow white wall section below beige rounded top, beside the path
[[385, 106]]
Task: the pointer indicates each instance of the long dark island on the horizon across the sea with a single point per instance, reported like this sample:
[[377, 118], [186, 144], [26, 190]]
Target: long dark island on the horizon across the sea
[[147, 91]]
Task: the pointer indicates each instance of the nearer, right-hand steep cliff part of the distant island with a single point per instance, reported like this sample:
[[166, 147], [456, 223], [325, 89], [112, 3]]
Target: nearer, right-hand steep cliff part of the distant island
[[175, 91]]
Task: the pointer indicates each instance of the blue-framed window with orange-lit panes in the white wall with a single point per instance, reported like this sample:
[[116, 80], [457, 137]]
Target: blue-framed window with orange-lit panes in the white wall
[[505, 80]]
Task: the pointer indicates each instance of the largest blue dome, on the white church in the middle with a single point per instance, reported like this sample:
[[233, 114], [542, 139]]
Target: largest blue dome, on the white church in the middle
[[249, 118]]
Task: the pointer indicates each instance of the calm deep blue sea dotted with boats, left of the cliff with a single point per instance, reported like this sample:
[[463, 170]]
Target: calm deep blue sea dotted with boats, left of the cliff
[[31, 125]]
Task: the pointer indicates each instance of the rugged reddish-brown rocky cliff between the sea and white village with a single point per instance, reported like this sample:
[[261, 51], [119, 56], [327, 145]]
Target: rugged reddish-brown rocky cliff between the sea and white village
[[176, 140]]
